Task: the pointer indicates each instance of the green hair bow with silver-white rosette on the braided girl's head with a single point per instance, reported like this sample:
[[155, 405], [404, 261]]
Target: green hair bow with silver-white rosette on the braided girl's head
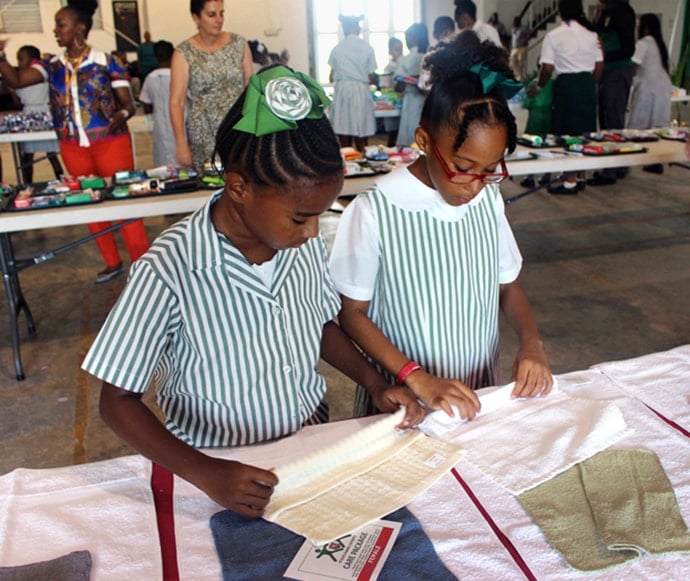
[[277, 98]]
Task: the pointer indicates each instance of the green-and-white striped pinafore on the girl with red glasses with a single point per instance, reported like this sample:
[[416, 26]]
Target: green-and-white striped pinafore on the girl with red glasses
[[436, 296]]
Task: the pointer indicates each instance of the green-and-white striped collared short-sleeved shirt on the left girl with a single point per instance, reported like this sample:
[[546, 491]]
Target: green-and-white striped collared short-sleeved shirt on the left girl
[[232, 361]]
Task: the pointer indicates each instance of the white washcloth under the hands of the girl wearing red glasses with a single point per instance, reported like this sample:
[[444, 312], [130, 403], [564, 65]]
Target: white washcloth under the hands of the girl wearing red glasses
[[521, 443]]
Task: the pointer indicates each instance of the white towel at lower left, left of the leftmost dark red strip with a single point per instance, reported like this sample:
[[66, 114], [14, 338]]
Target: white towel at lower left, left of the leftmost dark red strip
[[47, 513]]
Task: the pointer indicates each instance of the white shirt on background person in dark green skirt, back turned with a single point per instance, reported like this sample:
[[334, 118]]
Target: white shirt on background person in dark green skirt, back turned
[[571, 48]]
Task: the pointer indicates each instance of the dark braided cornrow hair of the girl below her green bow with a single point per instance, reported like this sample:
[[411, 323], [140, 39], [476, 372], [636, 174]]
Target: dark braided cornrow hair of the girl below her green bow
[[311, 150]]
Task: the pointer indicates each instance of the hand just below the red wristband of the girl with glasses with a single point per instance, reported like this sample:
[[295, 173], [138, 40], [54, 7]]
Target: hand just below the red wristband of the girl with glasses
[[437, 393]]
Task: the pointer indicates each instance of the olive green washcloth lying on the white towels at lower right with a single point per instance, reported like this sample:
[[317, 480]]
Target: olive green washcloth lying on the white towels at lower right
[[611, 508]]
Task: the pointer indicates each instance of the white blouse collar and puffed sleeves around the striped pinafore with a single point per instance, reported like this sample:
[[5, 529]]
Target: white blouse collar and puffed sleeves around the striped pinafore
[[355, 257]]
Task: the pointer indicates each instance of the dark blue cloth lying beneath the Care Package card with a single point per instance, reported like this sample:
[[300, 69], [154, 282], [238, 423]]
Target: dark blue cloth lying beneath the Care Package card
[[253, 549]]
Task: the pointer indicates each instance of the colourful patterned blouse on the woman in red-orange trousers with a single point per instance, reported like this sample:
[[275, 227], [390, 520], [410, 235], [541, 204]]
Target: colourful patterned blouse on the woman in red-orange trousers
[[83, 113]]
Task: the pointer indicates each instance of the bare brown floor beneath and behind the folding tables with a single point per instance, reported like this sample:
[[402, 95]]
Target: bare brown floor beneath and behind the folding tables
[[607, 272]]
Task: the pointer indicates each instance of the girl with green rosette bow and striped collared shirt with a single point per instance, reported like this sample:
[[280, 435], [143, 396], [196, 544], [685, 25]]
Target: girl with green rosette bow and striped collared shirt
[[228, 313]]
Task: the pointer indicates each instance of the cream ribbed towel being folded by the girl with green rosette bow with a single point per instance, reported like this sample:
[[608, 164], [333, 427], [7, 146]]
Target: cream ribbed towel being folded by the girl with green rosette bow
[[369, 474]]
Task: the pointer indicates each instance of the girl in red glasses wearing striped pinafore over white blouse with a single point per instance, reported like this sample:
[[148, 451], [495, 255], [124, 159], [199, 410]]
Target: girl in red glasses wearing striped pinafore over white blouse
[[425, 259]]
